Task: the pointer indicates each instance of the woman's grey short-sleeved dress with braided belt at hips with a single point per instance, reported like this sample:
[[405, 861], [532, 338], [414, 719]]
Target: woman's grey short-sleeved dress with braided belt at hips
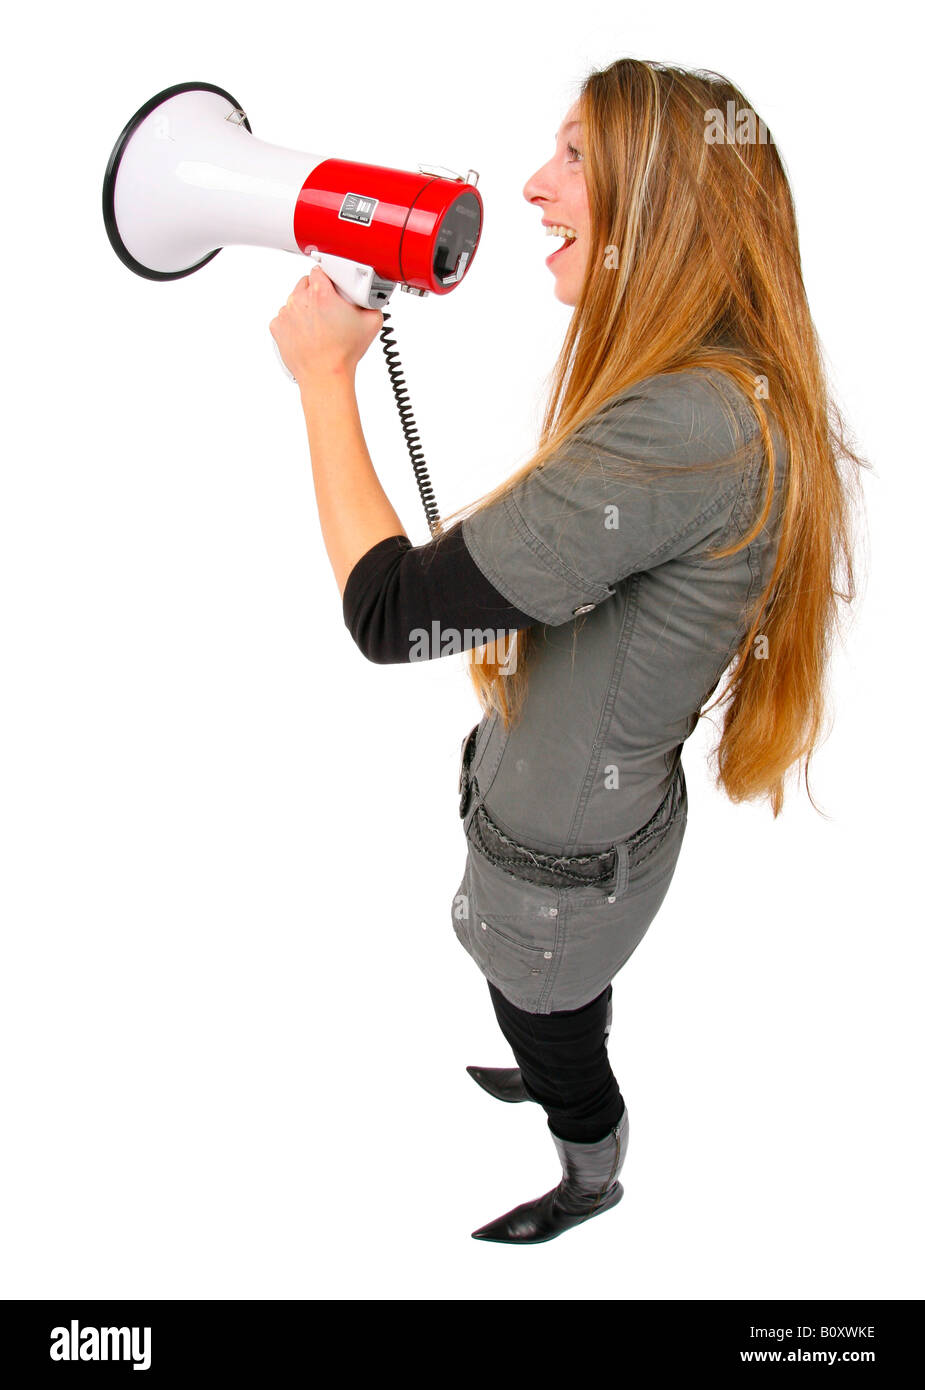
[[575, 818]]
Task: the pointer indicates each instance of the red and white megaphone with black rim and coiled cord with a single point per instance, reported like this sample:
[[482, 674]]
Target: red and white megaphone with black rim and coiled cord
[[187, 177]]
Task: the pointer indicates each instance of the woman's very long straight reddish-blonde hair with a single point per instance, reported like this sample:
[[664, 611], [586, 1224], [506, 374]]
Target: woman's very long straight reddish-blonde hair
[[709, 256]]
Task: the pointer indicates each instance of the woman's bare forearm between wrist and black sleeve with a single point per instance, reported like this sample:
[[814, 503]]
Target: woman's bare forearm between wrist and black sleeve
[[354, 509]]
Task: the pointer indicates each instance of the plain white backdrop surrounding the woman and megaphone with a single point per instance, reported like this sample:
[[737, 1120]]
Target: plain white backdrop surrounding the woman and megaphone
[[234, 1017]]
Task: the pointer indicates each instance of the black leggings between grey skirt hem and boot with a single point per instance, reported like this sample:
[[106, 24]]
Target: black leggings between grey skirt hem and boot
[[564, 1065]]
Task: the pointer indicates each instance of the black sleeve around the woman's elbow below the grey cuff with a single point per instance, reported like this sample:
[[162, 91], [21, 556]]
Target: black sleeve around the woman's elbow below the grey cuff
[[397, 593]]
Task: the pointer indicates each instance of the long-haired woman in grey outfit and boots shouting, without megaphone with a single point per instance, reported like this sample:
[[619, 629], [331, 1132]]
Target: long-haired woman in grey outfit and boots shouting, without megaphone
[[685, 514]]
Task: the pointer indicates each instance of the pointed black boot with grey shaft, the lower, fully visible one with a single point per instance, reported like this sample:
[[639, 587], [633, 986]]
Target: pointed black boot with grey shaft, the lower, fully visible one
[[589, 1186]]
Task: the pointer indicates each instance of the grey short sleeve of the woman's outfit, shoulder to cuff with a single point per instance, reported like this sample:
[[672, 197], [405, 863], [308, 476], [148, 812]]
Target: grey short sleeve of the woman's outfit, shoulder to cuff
[[563, 540]]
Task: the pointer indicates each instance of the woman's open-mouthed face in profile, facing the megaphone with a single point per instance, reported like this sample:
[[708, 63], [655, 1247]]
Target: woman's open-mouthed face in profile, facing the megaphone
[[560, 191]]
